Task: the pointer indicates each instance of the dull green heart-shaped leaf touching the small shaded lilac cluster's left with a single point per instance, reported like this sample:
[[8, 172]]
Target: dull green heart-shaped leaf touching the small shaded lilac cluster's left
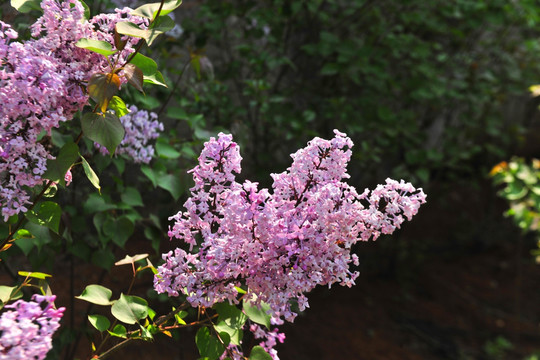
[[105, 129]]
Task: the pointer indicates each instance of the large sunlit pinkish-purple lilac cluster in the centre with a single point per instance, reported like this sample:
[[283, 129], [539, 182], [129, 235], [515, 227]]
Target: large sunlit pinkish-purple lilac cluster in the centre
[[278, 244]]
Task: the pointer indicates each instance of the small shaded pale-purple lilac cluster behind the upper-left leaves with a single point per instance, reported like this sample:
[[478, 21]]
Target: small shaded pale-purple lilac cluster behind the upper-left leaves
[[141, 127]]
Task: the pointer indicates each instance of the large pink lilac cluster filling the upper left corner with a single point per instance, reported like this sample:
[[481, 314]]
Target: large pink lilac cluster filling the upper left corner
[[42, 84]]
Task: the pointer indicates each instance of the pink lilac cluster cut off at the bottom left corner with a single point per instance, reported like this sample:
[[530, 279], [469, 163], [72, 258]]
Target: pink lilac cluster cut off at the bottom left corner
[[26, 332]]
